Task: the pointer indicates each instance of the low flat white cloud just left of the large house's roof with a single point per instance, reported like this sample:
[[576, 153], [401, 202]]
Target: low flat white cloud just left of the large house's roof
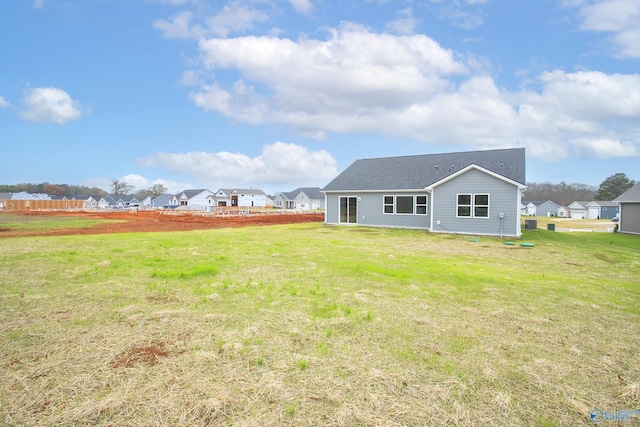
[[280, 164]]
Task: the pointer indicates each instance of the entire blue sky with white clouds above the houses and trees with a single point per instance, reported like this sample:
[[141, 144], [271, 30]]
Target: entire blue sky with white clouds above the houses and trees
[[277, 94]]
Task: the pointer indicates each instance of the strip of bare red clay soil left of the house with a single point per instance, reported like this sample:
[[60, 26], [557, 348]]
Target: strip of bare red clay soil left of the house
[[155, 221]]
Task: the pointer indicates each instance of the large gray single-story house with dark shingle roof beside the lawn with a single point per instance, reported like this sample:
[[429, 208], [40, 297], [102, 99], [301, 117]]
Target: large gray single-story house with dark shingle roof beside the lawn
[[475, 192]]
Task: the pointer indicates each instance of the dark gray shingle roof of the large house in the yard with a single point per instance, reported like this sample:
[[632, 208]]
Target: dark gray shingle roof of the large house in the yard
[[418, 172]]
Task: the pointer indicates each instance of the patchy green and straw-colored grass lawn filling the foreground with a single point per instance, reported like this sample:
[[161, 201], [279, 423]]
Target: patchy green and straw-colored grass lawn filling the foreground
[[309, 325]]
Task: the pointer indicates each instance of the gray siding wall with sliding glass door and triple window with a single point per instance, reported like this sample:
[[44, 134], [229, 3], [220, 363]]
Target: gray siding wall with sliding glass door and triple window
[[371, 210]]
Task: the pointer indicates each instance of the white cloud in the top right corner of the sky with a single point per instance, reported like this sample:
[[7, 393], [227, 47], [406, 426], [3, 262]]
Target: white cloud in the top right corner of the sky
[[619, 18]]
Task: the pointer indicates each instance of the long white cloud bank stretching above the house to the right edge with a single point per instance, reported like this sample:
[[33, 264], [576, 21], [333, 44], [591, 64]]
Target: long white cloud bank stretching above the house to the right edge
[[356, 80]]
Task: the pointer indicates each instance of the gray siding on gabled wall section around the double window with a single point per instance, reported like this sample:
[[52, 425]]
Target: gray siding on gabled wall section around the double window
[[503, 198]]
